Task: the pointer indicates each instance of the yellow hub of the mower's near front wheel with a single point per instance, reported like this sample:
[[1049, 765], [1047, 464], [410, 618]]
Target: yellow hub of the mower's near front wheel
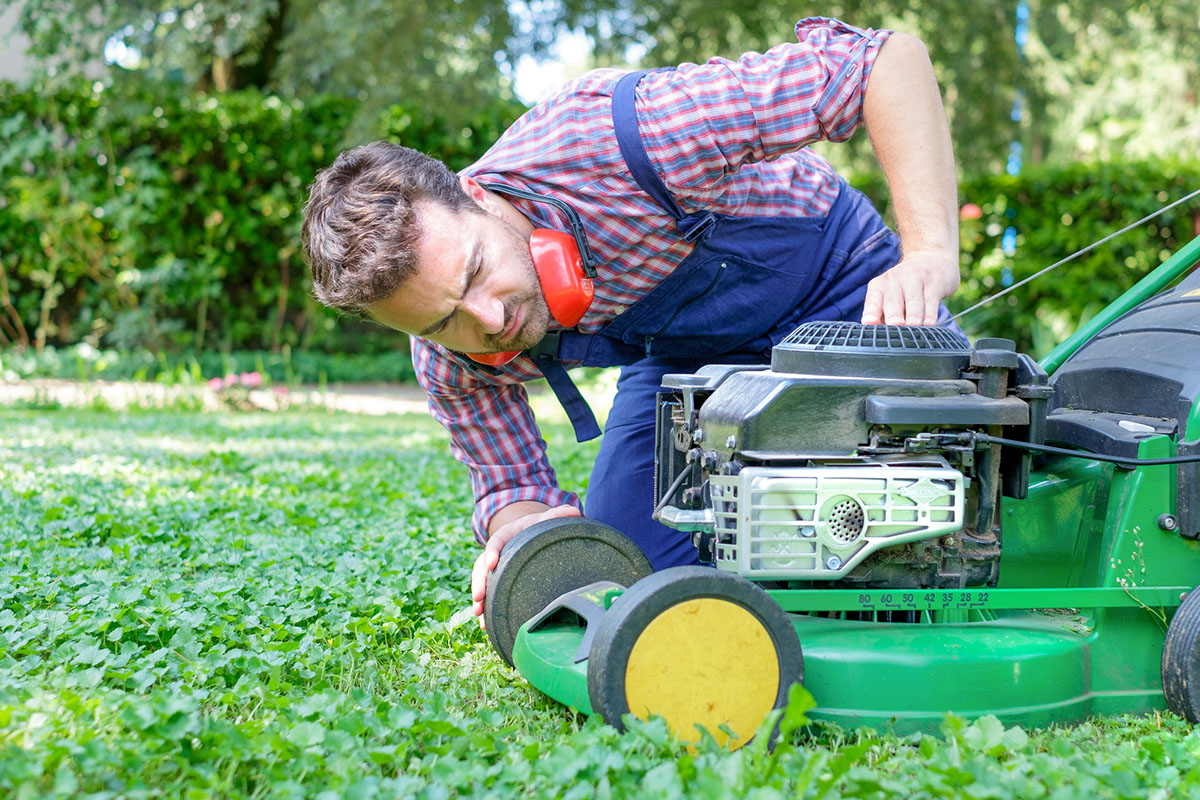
[[704, 663]]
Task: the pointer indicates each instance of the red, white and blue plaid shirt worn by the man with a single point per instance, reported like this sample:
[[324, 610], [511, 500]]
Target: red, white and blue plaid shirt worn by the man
[[727, 137]]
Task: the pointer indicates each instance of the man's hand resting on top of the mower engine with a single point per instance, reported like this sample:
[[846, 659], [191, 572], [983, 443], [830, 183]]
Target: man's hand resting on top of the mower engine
[[910, 293]]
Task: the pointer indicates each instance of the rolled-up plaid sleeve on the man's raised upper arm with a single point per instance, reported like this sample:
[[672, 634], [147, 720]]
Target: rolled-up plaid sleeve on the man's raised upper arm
[[703, 123]]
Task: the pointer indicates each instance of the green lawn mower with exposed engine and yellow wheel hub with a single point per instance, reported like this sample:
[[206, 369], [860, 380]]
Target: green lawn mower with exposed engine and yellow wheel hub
[[907, 525]]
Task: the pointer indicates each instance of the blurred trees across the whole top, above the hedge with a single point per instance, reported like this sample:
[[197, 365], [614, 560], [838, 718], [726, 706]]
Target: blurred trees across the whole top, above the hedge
[[1095, 79]]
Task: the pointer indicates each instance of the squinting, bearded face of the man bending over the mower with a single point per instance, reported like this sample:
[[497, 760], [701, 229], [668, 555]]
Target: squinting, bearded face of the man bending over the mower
[[475, 288]]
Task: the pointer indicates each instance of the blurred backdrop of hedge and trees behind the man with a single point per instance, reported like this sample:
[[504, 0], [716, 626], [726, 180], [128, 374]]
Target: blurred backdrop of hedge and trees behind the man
[[155, 155]]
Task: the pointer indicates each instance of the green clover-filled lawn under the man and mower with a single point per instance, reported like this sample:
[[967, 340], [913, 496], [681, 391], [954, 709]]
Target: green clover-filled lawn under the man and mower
[[251, 605]]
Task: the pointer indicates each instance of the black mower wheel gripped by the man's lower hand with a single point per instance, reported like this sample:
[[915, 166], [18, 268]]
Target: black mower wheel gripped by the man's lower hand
[[548, 561]]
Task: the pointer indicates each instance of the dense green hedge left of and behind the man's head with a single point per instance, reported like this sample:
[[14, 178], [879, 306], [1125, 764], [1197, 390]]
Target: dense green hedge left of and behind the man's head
[[148, 216]]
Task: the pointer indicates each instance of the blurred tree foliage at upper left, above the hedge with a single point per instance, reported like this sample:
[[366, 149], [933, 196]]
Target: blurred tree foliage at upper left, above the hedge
[[380, 52]]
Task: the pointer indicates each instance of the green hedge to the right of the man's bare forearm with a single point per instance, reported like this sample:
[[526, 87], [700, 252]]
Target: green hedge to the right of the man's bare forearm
[[1057, 212]]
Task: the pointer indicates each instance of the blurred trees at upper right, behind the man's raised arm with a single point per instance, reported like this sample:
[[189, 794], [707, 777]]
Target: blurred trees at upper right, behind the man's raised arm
[[1095, 80]]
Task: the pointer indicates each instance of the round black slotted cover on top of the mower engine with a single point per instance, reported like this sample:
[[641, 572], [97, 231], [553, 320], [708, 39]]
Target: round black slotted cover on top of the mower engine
[[856, 351]]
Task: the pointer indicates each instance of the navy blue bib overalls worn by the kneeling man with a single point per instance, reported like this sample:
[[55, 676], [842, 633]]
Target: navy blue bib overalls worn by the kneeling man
[[747, 285]]
